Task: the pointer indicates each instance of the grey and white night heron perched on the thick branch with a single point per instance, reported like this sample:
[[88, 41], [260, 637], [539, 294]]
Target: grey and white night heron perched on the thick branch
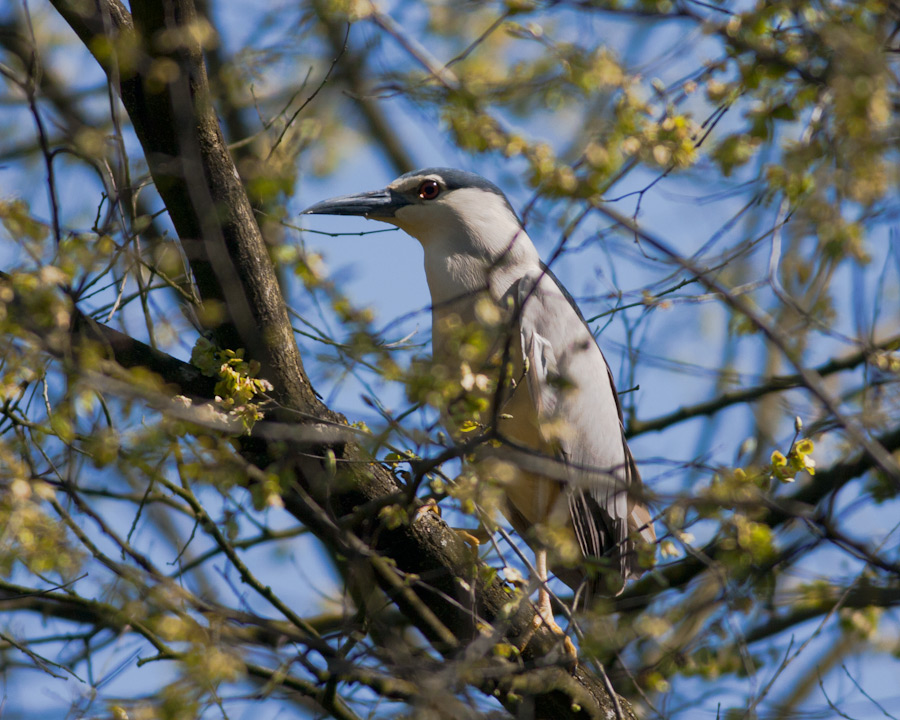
[[559, 420]]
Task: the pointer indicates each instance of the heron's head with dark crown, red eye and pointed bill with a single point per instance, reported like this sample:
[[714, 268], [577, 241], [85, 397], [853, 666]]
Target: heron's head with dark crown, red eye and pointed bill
[[437, 206]]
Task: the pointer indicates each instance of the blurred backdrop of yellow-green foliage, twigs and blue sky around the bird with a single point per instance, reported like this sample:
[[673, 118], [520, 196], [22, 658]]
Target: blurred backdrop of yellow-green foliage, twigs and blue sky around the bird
[[128, 528]]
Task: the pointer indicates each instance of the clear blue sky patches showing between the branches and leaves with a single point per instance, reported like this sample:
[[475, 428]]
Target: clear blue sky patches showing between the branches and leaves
[[384, 272]]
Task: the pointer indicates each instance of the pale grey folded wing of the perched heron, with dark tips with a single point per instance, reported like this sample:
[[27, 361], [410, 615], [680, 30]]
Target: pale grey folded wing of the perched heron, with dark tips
[[579, 415]]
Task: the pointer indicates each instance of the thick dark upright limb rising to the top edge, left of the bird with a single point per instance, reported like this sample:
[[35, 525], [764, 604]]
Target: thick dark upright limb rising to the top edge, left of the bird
[[196, 178]]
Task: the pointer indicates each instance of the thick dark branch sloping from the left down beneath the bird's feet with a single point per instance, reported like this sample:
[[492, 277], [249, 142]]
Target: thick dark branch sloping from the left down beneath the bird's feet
[[428, 559]]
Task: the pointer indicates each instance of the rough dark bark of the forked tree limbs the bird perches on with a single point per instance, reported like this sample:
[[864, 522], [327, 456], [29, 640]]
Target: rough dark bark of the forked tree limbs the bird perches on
[[197, 180]]
